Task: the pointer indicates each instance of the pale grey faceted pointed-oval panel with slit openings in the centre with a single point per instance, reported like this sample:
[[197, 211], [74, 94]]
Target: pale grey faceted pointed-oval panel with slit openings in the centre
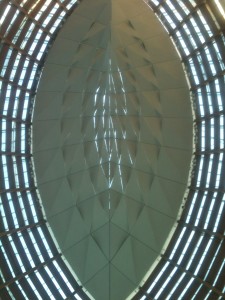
[[112, 143]]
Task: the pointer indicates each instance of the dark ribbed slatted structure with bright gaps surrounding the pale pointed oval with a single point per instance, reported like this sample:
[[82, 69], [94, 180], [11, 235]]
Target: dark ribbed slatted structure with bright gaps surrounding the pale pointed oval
[[32, 267]]
